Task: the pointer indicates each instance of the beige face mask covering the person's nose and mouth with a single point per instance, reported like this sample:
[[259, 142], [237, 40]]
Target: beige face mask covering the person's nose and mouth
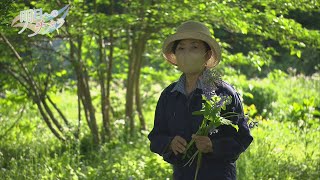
[[191, 62]]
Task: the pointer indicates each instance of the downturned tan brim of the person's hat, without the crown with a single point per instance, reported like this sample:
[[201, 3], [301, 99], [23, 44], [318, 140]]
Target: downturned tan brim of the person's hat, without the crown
[[168, 44]]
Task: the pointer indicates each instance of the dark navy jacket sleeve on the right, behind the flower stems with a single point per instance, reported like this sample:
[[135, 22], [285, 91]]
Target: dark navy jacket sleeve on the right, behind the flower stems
[[228, 143]]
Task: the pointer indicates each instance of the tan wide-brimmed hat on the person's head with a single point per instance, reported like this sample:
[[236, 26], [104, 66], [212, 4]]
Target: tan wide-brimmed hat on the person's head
[[192, 30]]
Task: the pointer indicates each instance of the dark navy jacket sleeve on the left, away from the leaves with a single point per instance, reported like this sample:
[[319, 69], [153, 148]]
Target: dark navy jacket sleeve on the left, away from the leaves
[[159, 135]]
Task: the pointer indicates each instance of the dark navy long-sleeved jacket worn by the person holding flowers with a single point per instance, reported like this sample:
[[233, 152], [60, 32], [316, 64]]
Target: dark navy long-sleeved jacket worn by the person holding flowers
[[173, 117]]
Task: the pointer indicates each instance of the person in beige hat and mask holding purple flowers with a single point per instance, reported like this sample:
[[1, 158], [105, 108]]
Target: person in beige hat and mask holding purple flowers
[[194, 51]]
